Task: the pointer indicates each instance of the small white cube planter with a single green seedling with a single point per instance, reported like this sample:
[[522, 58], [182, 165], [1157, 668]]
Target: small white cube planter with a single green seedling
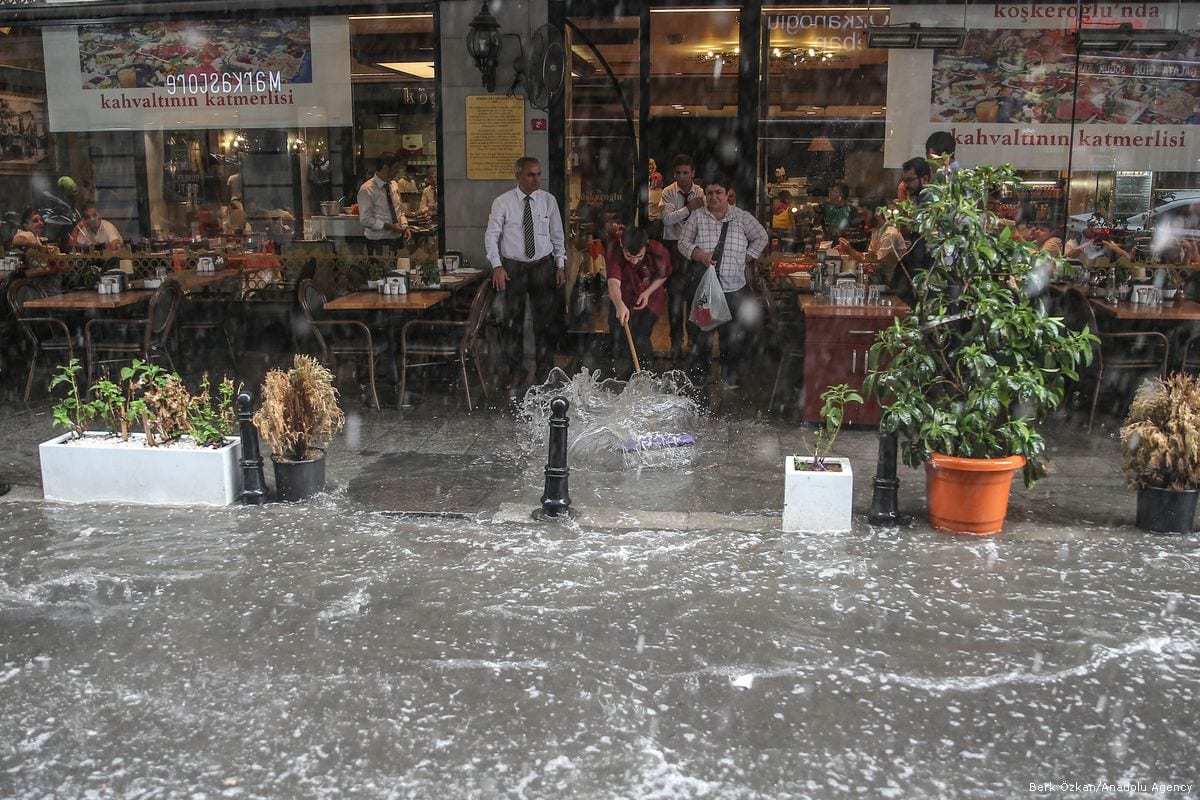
[[819, 490]]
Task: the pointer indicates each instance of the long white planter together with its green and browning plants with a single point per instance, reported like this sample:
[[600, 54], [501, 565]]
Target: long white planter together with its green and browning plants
[[142, 438]]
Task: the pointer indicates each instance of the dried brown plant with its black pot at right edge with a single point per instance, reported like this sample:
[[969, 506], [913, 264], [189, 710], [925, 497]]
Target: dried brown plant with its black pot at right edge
[[1161, 453]]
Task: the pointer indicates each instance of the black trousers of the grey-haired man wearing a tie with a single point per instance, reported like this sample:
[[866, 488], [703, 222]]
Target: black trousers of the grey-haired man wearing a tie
[[536, 281]]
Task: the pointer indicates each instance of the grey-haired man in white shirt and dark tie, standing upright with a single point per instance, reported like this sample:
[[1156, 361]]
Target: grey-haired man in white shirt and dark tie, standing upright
[[527, 251]]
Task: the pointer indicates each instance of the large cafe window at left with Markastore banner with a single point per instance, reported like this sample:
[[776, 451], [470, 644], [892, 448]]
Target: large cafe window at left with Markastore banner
[[201, 129]]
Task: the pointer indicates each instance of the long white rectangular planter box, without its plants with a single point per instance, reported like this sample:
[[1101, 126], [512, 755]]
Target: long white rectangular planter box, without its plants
[[116, 472]]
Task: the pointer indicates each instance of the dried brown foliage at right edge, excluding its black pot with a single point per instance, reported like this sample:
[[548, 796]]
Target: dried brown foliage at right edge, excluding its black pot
[[1161, 437]]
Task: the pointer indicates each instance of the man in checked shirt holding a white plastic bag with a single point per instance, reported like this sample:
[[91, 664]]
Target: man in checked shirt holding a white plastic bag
[[745, 243]]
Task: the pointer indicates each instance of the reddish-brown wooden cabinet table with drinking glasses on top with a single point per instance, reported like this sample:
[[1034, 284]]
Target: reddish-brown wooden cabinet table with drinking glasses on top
[[837, 344]]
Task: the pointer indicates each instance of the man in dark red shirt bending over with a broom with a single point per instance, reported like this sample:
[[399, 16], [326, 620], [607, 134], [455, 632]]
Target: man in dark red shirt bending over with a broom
[[637, 270]]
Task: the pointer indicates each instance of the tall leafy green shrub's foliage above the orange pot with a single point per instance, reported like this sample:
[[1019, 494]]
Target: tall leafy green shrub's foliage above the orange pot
[[979, 362]]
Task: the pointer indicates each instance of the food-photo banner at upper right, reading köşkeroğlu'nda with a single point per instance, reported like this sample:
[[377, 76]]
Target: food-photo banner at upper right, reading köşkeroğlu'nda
[[1013, 94]]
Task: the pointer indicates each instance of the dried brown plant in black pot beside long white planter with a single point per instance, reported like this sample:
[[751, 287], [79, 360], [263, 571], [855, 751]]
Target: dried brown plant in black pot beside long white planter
[[298, 418]]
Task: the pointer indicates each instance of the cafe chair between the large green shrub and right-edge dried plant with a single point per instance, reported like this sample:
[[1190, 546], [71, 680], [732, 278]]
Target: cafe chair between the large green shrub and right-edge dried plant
[[1118, 352]]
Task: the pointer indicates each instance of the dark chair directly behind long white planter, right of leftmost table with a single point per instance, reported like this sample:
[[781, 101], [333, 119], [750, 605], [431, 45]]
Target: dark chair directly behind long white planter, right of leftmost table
[[111, 341]]
